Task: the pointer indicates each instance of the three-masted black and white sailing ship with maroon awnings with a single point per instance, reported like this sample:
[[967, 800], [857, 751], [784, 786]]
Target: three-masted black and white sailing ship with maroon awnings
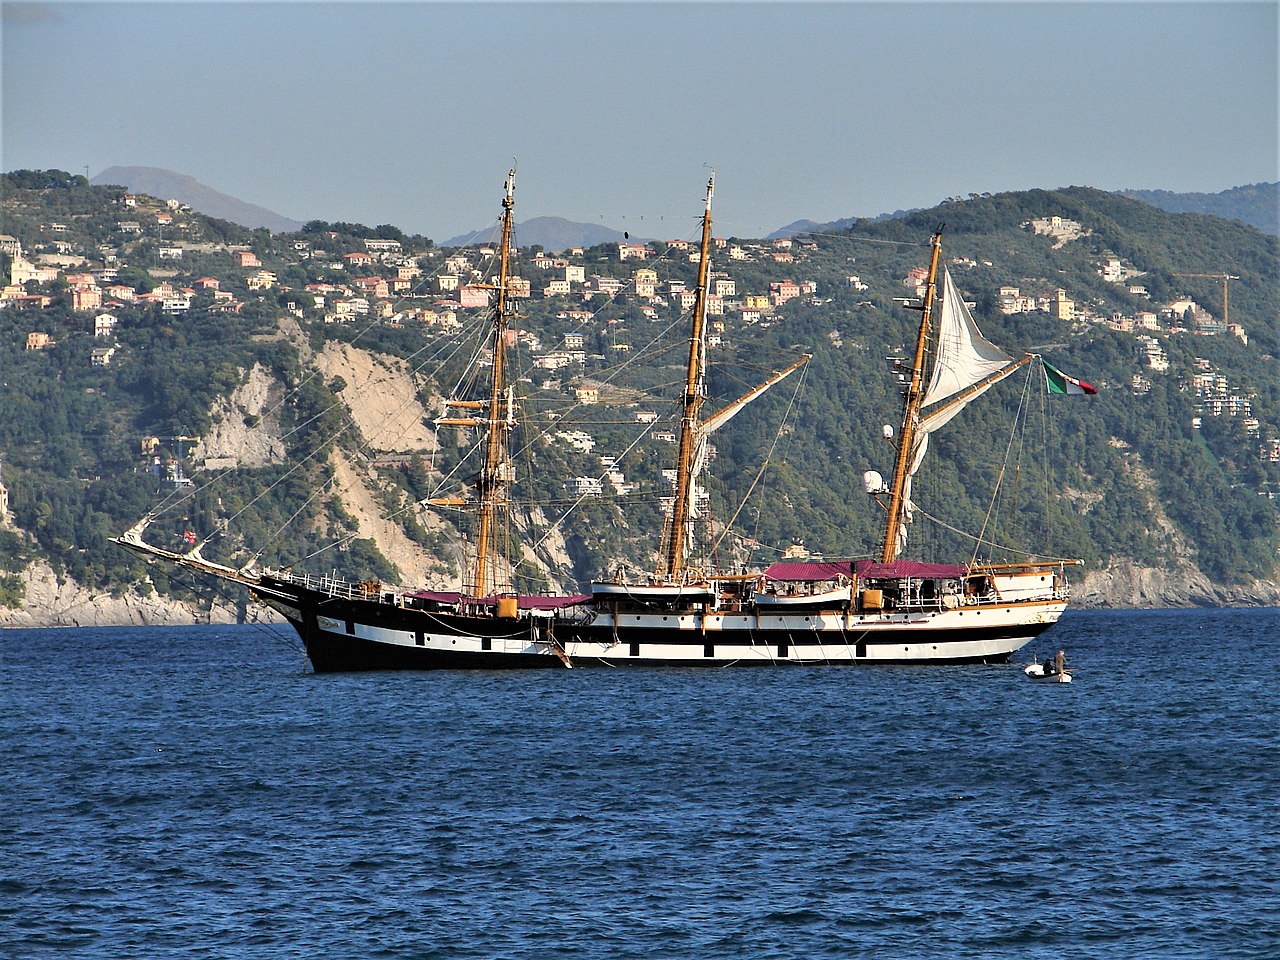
[[884, 610]]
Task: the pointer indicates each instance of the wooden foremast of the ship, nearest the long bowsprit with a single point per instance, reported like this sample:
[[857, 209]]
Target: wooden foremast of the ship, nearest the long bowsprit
[[497, 473]]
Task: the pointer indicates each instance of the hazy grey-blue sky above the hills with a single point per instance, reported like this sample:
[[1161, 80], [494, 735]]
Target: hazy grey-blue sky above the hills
[[410, 113]]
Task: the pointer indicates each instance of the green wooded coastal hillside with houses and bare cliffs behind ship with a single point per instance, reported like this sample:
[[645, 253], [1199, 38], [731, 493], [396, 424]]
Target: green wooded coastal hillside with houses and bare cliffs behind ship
[[240, 385]]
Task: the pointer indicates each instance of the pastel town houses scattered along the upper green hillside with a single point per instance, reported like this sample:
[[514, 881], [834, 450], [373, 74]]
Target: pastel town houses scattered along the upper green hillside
[[153, 257]]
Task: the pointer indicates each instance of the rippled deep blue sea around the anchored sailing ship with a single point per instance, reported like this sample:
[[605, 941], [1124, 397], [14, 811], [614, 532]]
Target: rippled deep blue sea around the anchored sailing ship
[[196, 793]]
